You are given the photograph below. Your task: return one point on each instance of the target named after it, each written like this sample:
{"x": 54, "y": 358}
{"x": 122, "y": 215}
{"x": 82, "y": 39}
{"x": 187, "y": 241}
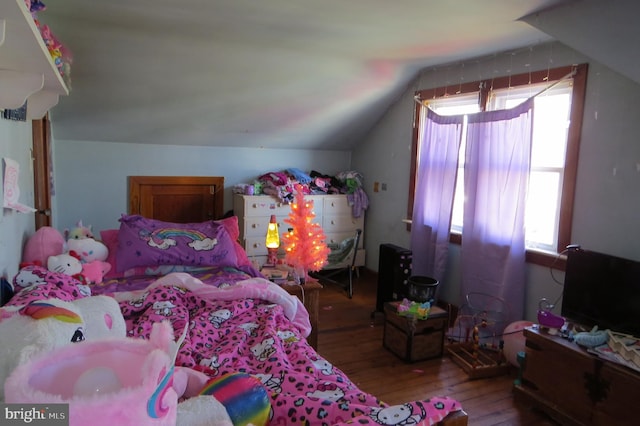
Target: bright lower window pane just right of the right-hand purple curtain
{"x": 541, "y": 214}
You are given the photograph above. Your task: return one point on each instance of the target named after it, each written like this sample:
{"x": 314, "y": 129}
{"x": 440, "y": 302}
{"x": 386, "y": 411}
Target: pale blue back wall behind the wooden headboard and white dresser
{"x": 91, "y": 177}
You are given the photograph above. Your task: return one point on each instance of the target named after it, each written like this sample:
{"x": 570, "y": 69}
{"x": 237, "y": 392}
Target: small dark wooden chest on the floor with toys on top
{"x": 412, "y": 339}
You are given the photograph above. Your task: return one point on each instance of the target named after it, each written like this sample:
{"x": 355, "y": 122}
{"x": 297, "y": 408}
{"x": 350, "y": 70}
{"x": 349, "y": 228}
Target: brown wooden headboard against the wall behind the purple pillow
{"x": 179, "y": 199}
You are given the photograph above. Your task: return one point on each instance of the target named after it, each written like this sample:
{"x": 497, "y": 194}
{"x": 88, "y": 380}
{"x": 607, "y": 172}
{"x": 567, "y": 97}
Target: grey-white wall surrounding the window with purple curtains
{"x": 607, "y": 200}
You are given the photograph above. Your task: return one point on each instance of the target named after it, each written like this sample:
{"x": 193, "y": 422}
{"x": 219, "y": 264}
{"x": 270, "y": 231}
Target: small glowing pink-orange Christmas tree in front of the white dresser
{"x": 304, "y": 244}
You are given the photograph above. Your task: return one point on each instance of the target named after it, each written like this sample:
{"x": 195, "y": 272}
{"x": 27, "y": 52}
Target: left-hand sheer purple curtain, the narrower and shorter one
{"x": 438, "y": 147}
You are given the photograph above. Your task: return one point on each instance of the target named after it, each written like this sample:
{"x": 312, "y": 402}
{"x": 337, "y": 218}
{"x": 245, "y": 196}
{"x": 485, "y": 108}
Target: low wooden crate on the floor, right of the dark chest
{"x": 478, "y": 362}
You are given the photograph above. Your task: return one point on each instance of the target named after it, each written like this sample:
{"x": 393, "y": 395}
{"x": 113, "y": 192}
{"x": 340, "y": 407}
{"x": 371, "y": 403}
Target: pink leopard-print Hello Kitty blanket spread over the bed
{"x": 256, "y": 327}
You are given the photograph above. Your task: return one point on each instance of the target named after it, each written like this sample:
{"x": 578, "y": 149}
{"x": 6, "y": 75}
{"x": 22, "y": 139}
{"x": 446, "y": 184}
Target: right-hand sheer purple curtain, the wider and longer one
{"x": 496, "y": 175}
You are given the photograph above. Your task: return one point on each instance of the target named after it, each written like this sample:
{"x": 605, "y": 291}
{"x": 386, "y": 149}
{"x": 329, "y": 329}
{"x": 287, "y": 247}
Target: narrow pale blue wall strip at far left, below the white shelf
{"x": 15, "y": 143}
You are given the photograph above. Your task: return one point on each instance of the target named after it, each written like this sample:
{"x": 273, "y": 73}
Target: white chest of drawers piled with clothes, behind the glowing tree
{"x": 333, "y": 213}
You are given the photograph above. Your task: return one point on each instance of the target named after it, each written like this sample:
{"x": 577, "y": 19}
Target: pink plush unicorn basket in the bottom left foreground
{"x": 106, "y": 382}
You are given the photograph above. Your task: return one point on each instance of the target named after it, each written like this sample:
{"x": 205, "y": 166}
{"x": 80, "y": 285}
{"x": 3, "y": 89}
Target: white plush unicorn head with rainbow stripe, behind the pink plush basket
{"x": 43, "y": 326}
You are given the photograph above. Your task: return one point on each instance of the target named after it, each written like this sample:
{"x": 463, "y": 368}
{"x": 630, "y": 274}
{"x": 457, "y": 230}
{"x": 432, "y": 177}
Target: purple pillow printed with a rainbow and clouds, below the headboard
{"x": 143, "y": 242}
